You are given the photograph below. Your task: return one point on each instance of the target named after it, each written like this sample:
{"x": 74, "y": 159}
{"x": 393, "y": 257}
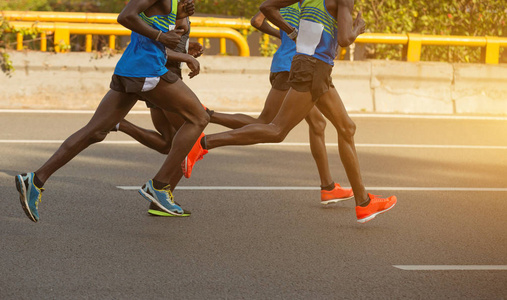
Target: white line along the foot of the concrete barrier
{"x": 353, "y": 115}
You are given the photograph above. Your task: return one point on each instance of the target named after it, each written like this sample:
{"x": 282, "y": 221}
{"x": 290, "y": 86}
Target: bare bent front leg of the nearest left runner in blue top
{"x": 183, "y": 102}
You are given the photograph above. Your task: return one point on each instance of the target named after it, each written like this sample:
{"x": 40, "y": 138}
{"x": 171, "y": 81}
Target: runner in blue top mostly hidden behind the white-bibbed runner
{"x": 280, "y": 66}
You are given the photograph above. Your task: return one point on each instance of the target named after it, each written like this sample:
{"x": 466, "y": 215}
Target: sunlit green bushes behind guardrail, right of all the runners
{"x": 456, "y": 17}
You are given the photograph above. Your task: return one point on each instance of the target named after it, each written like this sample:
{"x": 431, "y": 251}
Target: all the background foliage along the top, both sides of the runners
{"x": 447, "y": 17}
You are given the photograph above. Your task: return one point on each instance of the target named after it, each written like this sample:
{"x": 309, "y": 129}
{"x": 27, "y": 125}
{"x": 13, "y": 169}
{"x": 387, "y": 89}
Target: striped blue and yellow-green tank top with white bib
{"x": 318, "y": 31}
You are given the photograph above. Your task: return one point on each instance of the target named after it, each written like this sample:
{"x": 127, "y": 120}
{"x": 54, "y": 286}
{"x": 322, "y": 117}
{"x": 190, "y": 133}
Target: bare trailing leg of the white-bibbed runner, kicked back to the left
{"x": 294, "y": 109}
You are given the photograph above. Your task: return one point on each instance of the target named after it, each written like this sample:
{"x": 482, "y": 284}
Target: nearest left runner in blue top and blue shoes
{"x": 140, "y": 73}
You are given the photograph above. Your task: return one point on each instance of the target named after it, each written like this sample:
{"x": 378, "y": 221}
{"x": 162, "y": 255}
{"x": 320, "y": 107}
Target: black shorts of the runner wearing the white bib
{"x": 309, "y": 74}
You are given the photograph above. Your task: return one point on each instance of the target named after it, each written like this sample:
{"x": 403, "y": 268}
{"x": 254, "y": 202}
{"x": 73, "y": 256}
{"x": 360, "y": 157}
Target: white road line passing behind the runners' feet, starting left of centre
{"x": 312, "y": 188}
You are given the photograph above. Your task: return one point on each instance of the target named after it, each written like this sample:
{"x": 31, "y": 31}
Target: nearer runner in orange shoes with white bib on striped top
{"x": 324, "y": 24}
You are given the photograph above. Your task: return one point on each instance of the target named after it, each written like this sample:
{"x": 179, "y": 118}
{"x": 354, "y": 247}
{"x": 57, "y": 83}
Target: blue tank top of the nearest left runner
{"x": 145, "y": 57}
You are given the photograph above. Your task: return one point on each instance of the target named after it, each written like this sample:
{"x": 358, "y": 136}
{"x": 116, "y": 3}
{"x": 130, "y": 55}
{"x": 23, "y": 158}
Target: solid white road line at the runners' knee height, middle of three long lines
{"x": 288, "y": 144}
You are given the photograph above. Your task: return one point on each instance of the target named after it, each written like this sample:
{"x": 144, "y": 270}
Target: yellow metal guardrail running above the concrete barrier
{"x": 106, "y": 24}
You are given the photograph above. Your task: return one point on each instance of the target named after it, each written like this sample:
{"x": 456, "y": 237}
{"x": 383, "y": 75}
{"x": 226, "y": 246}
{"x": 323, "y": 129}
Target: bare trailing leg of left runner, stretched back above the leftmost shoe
{"x": 111, "y": 110}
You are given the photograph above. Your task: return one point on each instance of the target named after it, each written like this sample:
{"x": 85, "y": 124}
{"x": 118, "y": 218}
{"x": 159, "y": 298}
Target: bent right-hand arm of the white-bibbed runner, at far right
{"x": 349, "y": 29}
